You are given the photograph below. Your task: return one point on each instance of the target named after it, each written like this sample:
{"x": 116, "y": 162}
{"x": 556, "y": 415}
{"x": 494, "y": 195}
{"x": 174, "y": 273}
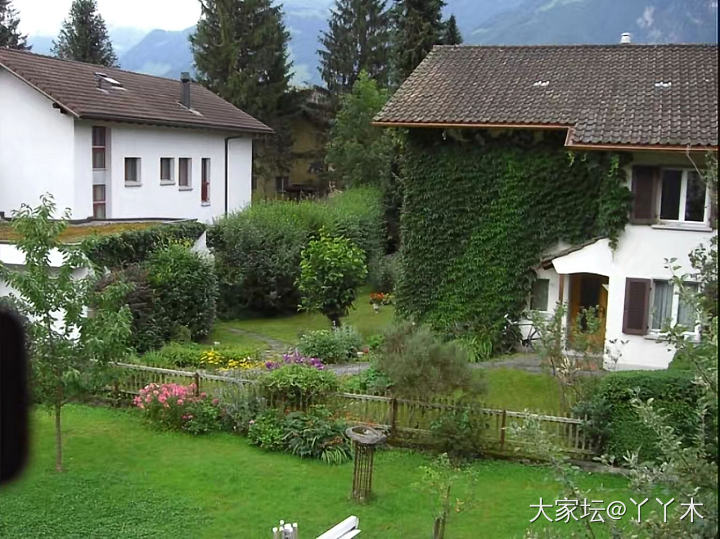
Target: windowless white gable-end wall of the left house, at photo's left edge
{"x": 36, "y": 148}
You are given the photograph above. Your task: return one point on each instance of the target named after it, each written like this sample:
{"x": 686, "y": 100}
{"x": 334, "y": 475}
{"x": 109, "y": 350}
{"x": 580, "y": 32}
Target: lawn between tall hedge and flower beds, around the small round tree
{"x": 288, "y": 328}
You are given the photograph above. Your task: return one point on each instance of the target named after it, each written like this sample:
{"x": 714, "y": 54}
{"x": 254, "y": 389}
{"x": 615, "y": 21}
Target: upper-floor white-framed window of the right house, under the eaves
{"x": 682, "y": 196}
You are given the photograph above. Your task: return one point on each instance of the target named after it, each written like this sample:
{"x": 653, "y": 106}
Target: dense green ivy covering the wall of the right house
{"x": 479, "y": 212}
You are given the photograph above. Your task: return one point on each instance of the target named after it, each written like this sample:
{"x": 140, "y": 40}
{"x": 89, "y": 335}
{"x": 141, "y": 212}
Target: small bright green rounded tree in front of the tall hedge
{"x": 331, "y": 269}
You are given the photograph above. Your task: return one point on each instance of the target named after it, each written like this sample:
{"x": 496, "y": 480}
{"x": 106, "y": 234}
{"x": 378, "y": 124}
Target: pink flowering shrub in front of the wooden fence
{"x": 174, "y": 406}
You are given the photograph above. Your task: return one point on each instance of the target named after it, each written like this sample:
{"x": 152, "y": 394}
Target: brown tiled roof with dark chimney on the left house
{"x": 146, "y": 99}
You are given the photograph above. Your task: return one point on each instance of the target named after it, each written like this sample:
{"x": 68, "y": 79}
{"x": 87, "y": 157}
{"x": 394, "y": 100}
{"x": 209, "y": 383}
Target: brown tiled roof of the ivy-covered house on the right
{"x": 635, "y": 95}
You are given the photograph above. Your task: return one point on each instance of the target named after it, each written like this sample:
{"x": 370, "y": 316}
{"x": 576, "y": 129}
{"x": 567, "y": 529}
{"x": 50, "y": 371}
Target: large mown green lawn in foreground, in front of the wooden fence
{"x": 124, "y": 479}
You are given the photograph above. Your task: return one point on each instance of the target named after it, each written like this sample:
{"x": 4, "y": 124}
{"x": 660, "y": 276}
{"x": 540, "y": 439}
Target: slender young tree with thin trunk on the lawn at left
{"x": 74, "y": 329}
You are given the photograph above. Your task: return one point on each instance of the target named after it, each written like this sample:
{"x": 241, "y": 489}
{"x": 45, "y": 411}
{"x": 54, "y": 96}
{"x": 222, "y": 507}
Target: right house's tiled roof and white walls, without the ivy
{"x": 656, "y": 104}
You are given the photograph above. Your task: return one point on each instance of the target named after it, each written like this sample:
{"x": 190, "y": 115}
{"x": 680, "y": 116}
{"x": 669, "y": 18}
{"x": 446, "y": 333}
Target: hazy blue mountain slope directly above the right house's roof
{"x": 600, "y": 21}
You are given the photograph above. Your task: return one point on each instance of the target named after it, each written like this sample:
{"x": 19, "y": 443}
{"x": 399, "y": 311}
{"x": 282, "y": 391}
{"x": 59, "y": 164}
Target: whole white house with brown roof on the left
{"x": 112, "y": 144}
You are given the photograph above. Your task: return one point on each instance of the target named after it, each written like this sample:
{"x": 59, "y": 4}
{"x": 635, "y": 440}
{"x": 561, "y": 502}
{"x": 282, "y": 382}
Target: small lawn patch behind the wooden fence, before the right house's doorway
{"x": 517, "y": 390}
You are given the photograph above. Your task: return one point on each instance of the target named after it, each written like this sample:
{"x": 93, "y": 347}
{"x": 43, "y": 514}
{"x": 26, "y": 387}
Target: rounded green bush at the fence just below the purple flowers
{"x": 297, "y": 386}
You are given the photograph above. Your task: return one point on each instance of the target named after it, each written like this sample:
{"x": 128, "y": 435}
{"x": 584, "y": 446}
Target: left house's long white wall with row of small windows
{"x": 154, "y": 199}
